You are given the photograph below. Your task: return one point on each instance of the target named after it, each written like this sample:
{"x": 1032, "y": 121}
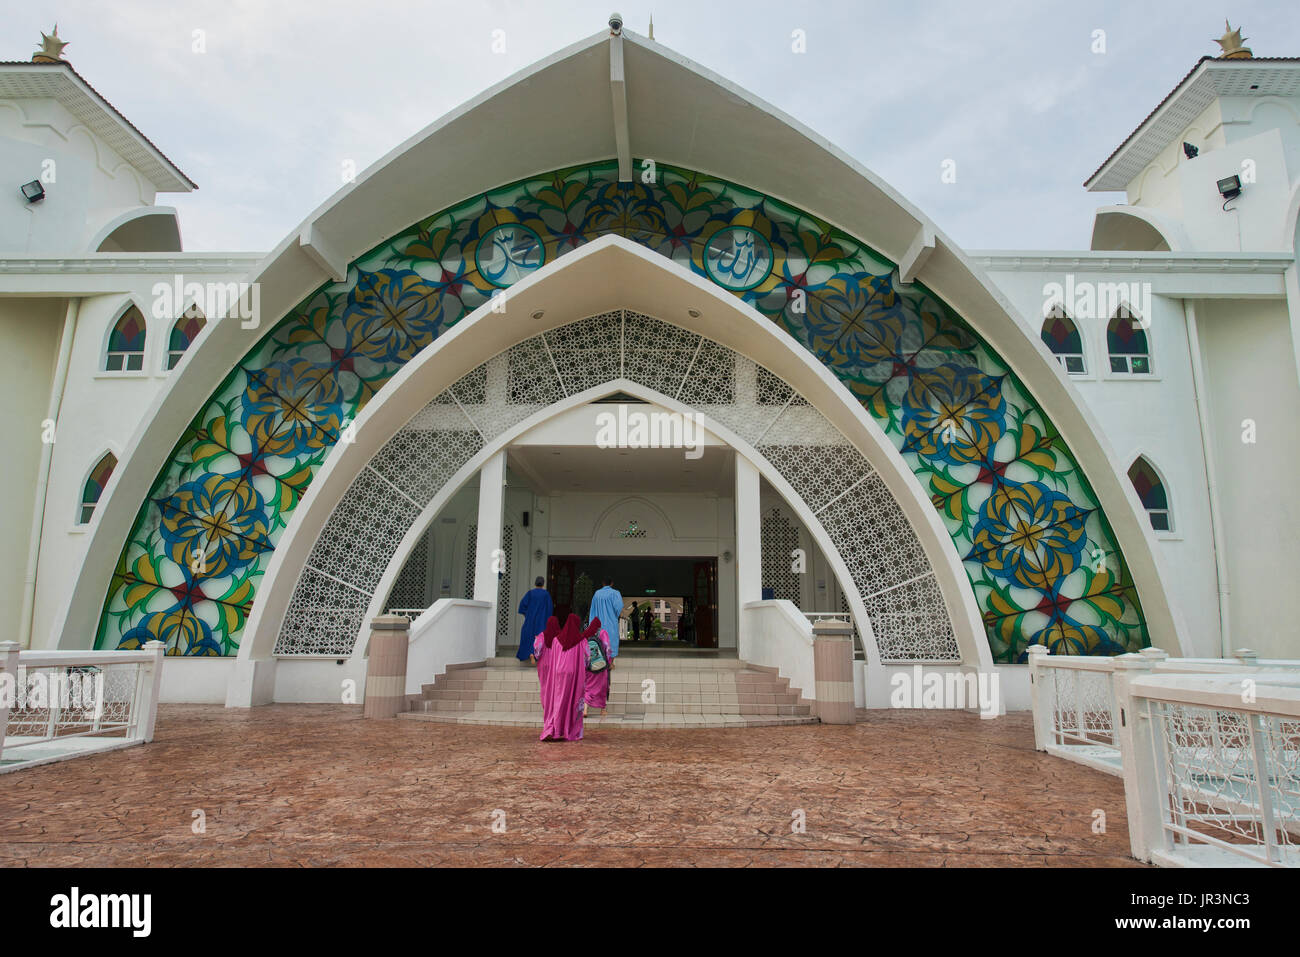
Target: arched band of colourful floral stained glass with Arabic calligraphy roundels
{"x": 1042, "y": 558}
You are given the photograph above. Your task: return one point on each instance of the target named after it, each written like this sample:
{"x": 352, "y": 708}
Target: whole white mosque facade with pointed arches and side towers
{"x": 409, "y": 404}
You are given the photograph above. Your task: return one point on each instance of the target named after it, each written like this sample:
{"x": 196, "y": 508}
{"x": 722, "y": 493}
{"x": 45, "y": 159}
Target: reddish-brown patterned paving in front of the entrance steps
{"x": 319, "y": 786}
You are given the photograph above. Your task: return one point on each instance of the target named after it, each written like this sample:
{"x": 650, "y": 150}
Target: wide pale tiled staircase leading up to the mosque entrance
{"x": 697, "y": 691}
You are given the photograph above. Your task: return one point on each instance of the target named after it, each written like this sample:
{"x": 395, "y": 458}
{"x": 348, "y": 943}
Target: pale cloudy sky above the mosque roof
{"x": 1011, "y": 90}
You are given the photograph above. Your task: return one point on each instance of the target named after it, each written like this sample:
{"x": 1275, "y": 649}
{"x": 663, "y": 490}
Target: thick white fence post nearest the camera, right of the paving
{"x": 1136, "y": 734}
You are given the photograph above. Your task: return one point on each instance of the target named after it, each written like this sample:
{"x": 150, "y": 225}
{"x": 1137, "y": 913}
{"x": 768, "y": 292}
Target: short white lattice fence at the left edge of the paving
{"x": 59, "y": 705}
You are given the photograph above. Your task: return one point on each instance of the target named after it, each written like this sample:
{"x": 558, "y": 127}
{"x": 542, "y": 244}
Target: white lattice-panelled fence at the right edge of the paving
{"x": 1208, "y": 750}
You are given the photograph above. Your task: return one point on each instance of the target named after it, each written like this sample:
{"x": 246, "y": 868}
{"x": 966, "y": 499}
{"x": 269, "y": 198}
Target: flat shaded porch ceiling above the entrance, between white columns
{"x": 558, "y": 470}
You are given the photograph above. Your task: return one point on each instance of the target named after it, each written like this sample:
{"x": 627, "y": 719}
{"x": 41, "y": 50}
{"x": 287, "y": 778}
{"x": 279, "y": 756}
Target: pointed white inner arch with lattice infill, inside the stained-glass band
{"x": 358, "y": 523}
